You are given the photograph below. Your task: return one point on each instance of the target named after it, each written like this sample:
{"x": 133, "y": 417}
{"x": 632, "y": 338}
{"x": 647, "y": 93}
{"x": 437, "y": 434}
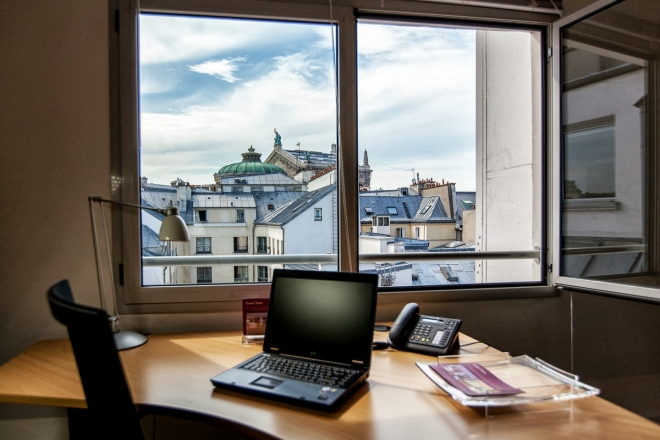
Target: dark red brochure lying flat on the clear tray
{"x": 474, "y": 380}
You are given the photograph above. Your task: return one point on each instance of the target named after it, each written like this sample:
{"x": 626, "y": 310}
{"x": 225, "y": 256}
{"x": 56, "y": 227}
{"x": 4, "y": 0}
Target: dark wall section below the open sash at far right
{"x": 615, "y": 348}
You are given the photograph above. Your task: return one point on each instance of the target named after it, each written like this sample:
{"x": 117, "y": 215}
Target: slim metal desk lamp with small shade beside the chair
{"x": 173, "y": 228}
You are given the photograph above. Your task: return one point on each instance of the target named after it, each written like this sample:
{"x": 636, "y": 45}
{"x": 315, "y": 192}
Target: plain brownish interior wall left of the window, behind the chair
{"x": 54, "y": 153}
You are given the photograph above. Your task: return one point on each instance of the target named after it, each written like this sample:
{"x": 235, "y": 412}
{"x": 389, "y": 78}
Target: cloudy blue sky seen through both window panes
{"x": 212, "y": 87}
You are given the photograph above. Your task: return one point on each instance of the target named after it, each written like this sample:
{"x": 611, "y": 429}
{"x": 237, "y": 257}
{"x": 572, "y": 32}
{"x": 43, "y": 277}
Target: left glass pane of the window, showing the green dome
{"x": 212, "y": 91}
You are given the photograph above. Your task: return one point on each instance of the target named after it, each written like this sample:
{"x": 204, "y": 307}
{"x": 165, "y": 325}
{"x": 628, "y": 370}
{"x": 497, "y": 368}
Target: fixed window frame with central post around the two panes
{"x": 135, "y": 298}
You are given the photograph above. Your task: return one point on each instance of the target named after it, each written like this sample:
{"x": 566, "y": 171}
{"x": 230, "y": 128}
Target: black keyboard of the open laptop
{"x": 305, "y": 371}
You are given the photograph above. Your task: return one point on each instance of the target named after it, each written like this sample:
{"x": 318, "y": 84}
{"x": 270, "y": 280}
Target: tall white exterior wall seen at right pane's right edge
{"x": 508, "y": 209}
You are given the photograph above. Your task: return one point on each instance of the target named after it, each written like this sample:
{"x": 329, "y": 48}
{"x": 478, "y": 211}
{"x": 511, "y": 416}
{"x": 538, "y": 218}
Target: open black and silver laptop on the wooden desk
{"x": 318, "y": 340}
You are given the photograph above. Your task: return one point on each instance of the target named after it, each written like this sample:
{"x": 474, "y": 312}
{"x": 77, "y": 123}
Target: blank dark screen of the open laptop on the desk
{"x": 322, "y": 315}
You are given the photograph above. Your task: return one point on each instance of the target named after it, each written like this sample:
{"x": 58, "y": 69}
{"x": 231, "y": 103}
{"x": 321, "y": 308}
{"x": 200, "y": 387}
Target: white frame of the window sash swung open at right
{"x": 557, "y": 197}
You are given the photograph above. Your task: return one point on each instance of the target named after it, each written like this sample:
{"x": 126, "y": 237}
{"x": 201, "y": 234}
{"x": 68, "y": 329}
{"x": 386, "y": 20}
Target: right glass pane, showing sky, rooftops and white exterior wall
{"x": 449, "y": 129}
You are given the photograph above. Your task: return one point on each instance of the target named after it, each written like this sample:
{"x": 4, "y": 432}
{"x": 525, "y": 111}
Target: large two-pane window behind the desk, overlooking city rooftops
{"x": 175, "y": 69}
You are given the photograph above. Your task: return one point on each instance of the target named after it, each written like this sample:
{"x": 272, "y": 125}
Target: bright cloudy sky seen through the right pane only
{"x": 417, "y": 103}
